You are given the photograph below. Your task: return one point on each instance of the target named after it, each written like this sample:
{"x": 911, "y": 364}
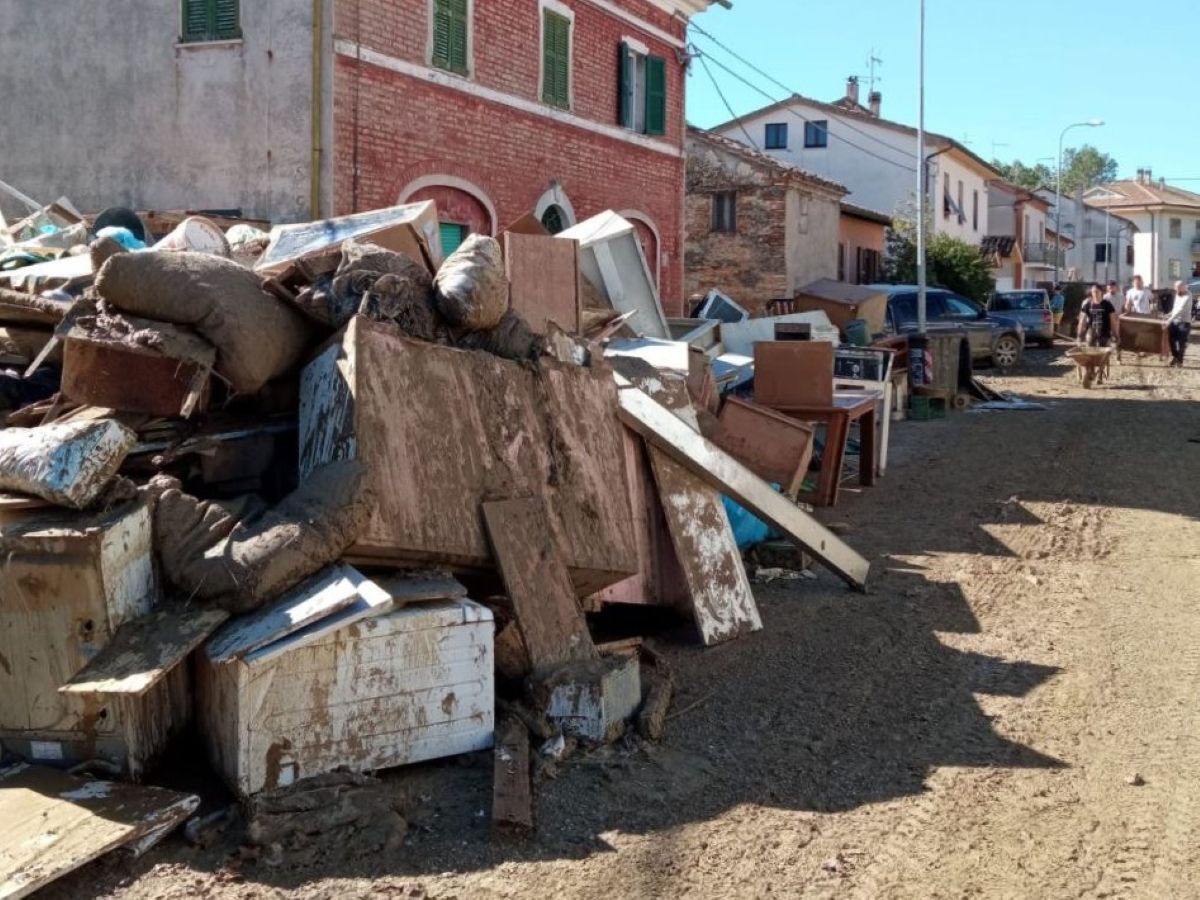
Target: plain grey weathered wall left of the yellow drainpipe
{"x": 104, "y": 106}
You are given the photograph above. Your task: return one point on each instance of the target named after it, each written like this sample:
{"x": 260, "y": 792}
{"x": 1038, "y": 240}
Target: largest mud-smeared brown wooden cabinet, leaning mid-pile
{"x": 443, "y": 430}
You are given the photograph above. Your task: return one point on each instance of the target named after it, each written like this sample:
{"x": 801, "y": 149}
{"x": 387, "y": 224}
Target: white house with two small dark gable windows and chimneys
{"x": 875, "y": 158}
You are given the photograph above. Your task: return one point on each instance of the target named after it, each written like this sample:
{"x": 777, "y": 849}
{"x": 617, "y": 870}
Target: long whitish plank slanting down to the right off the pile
{"x": 722, "y": 471}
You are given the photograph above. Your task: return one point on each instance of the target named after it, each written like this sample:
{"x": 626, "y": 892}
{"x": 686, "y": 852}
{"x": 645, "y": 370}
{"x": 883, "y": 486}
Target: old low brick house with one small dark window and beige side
{"x": 754, "y": 227}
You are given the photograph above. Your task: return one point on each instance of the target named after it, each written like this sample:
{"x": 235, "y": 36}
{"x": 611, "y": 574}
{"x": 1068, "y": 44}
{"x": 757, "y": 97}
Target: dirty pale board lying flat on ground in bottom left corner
{"x": 52, "y": 824}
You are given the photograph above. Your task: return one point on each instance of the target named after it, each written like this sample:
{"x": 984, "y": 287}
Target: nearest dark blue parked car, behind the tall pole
{"x": 994, "y": 339}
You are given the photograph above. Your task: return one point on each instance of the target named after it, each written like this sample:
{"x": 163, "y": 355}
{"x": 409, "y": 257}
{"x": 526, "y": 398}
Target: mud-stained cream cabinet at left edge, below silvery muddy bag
{"x": 68, "y": 584}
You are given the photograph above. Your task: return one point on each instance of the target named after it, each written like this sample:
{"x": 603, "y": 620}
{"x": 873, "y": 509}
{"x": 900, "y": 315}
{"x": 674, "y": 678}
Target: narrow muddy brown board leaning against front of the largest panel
{"x": 538, "y": 584}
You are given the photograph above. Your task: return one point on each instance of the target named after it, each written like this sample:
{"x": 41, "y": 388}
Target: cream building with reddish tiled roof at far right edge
{"x": 1167, "y": 245}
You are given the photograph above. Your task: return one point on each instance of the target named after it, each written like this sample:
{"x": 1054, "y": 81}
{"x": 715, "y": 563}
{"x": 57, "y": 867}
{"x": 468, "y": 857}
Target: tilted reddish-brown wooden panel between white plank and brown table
{"x": 775, "y": 447}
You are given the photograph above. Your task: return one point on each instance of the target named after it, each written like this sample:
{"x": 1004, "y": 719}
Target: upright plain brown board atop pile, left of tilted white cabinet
{"x": 544, "y": 280}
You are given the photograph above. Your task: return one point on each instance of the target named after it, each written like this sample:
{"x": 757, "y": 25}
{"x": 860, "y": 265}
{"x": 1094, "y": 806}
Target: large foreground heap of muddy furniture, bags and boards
{"x": 295, "y": 469}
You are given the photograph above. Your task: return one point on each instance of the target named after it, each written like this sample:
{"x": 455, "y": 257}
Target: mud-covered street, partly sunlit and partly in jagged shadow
{"x": 1011, "y": 711}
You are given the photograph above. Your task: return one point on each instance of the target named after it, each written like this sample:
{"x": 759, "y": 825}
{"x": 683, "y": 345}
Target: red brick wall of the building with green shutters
{"x": 393, "y": 128}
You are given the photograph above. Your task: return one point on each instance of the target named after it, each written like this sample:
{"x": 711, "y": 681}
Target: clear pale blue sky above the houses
{"x": 1003, "y": 77}
